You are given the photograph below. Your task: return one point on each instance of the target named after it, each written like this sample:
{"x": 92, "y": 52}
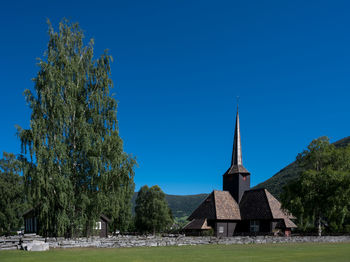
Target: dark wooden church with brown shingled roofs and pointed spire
{"x": 238, "y": 209}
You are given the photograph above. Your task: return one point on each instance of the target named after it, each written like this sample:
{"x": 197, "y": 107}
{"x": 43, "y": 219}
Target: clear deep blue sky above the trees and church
{"x": 179, "y": 66}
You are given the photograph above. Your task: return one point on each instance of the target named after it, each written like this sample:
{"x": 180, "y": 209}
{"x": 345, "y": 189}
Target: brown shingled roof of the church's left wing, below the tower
{"x": 219, "y": 205}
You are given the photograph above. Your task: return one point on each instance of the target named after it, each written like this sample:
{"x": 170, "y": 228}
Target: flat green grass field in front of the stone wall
{"x": 266, "y": 252}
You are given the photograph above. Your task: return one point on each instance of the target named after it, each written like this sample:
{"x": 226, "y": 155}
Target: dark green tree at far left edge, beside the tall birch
{"x": 12, "y": 198}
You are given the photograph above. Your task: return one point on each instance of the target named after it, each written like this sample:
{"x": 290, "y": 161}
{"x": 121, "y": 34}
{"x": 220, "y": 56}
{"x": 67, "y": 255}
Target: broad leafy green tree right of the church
{"x": 322, "y": 191}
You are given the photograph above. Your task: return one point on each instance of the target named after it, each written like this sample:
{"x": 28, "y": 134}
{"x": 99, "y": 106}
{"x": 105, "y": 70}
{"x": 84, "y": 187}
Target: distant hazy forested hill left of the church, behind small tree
{"x": 181, "y": 206}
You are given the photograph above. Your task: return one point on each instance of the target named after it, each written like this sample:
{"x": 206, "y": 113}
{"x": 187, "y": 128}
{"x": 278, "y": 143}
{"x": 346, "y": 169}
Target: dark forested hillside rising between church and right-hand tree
{"x": 276, "y": 182}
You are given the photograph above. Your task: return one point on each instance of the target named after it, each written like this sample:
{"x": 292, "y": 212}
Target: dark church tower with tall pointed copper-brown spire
{"x": 236, "y": 180}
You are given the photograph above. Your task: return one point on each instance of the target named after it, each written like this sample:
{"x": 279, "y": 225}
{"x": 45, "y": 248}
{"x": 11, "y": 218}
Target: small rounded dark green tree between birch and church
{"x": 152, "y": 213}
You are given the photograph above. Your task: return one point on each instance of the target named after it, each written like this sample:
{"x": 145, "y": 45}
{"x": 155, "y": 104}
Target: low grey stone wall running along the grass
{"x": 18, "y": 242}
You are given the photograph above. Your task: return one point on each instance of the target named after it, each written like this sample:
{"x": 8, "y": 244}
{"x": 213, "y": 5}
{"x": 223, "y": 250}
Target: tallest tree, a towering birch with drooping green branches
{"x": 78, "y": 166}
